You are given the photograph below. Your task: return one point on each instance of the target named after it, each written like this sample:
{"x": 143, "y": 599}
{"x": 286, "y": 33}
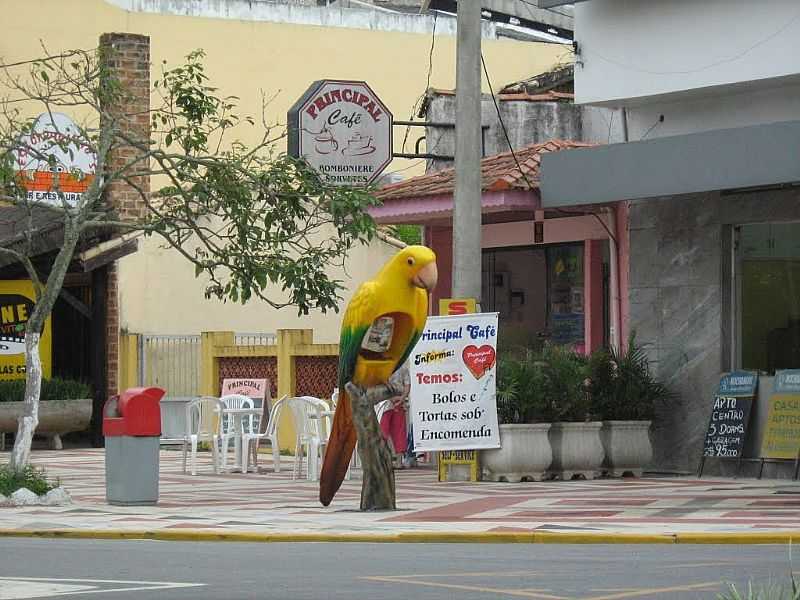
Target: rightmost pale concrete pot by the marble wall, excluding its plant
{"x": 627, "y": 447}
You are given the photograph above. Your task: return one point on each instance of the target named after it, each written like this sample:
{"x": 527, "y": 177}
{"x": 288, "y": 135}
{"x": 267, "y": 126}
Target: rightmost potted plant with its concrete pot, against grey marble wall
{"x": 625, "y": 392}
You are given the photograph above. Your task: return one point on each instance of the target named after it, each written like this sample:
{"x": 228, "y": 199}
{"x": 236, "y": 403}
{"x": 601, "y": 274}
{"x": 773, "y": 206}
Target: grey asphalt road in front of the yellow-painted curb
{"x": 31, "y": 568}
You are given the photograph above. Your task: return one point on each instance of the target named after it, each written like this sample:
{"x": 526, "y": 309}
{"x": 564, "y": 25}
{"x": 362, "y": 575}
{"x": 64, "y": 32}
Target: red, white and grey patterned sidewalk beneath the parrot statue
{"x": 267, "y": 503}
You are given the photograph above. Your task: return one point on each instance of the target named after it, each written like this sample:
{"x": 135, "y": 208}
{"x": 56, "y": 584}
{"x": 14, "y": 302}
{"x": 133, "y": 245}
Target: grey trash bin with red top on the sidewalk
{"x": 132, "y": 428}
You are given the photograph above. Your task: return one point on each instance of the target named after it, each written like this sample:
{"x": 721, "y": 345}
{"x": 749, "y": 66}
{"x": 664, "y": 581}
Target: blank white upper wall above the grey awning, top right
{"x": 632, "y": 51}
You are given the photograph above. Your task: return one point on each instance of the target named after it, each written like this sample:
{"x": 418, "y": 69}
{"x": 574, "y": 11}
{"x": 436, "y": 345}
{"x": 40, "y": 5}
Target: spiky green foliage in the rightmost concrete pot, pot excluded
{"x": 622, "y": 386}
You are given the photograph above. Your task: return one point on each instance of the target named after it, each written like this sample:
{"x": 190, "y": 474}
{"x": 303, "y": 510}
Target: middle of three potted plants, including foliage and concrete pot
{"x": 575, "y": 436}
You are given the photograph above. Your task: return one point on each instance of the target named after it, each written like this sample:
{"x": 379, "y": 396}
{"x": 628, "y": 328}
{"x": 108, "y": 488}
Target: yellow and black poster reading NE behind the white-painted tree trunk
{"x": 16, "y": 306}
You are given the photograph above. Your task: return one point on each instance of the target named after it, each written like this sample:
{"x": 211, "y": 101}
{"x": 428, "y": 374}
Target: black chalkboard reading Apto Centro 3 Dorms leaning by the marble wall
{"x": 730, "y": 415}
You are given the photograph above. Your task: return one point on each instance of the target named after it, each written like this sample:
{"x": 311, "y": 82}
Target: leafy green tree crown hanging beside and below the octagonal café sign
{"x": 278, "y": 226}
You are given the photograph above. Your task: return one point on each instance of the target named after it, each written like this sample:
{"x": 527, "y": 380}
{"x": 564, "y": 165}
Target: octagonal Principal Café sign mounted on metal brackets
{"x": 343, "y": 130}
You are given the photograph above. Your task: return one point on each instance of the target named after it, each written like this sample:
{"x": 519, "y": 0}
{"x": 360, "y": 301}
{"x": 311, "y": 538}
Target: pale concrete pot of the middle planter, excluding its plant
{"x": 577, "y": 449}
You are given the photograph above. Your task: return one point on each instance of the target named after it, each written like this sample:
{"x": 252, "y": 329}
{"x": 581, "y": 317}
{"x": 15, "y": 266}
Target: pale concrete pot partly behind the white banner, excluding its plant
{"x": 525, "y": 452}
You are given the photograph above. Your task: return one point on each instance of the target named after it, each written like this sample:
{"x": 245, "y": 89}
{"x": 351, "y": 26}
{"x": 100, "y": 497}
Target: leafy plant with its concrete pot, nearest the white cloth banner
{"x": 525, "y": 413}
